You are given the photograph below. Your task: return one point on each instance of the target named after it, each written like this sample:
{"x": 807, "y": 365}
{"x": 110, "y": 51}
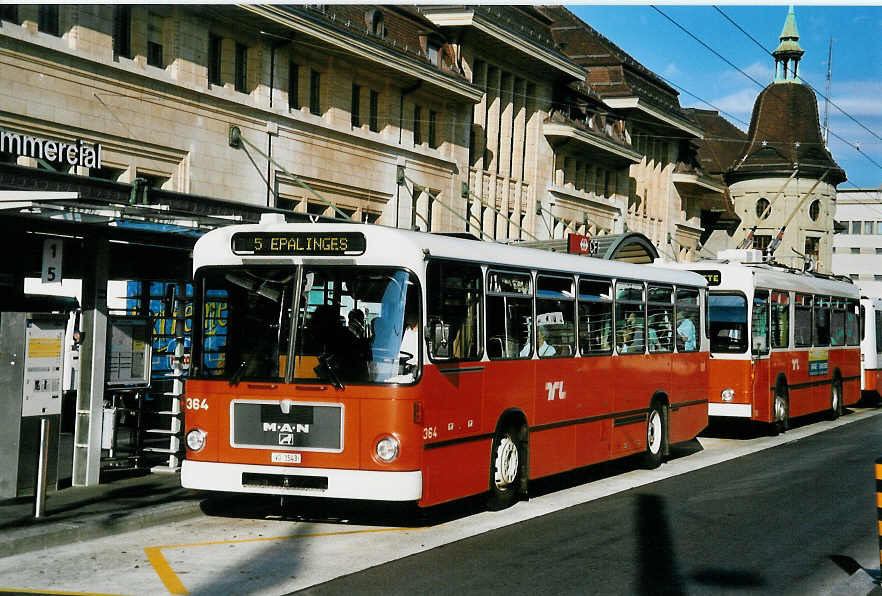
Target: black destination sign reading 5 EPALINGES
{"x": 325, "y": 244}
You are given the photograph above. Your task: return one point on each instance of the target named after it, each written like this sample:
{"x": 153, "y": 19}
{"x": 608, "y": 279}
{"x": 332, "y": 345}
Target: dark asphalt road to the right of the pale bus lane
{"x": 793, "y": 519}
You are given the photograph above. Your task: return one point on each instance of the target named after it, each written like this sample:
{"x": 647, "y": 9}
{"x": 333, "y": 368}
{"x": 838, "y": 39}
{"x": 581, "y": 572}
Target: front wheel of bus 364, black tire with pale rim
{"x": 508, "y": 458}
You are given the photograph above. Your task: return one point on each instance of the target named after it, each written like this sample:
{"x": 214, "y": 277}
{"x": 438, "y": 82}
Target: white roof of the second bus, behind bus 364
{"x": 741, "y": 275}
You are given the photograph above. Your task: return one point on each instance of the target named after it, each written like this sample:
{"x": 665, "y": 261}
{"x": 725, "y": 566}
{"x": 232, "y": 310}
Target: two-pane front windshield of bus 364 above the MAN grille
{"x": 353, "y": 325}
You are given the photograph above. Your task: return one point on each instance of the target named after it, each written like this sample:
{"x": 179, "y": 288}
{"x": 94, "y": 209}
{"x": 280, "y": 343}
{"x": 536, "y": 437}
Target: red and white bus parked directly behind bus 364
{"x": 783, "y": 343}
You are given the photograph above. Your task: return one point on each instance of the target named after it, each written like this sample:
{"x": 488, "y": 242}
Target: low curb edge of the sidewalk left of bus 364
{"x": 40, "y": 536}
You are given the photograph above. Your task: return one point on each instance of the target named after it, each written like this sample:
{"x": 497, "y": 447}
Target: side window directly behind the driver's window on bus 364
{"x": 509, "y": 315}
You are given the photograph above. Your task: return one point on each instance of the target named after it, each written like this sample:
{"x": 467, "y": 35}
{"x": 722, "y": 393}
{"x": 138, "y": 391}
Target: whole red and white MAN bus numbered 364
{"x": 364, "y": 362}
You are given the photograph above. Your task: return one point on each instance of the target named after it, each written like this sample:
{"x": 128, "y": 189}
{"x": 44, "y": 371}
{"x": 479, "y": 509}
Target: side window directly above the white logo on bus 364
{"x": 555, "y": 316}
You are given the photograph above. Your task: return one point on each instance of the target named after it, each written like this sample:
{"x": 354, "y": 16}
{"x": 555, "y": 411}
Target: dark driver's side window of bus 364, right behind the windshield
{"x": 454, "y": 299}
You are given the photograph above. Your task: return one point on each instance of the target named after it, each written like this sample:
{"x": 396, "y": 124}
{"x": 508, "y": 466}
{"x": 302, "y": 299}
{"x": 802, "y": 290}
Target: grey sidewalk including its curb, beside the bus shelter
{"x": 80, "y": 513}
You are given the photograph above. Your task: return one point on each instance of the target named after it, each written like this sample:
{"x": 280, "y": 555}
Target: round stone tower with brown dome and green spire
{"x": 785, "y": 178}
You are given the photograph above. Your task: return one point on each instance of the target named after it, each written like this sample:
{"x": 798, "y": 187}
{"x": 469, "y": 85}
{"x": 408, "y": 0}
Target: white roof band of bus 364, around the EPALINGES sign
{"x": 409, "y": 249}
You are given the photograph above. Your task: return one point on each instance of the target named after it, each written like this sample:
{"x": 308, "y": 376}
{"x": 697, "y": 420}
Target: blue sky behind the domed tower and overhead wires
{"x": 702, "y": 78}
